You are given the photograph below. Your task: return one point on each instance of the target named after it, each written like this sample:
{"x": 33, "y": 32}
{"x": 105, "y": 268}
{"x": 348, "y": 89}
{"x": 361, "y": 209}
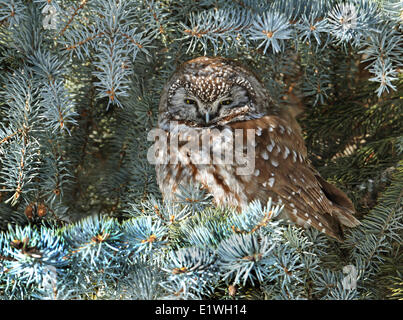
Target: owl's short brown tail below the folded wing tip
{"x": 344, "y": 208}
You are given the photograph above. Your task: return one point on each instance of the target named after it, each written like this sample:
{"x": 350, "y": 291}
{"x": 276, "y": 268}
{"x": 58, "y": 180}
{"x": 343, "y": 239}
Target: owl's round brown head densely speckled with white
{"x": 207, "y": 92}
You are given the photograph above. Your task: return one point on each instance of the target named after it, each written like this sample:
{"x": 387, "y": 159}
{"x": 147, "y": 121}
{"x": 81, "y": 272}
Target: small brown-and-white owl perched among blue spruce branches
{"x": 221, "y": 99}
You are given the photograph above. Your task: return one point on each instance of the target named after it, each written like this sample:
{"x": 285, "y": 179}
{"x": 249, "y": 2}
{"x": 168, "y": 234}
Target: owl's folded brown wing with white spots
{"x": 283, "y": 172}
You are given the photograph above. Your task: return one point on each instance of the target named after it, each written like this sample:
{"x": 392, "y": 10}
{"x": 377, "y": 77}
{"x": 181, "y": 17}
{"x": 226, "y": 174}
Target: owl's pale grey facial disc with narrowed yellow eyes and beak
{"x": 188, "y": 106}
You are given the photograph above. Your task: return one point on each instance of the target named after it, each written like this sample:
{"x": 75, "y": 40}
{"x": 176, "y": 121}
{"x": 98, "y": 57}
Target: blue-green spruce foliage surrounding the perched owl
{"x": 81, "y": 216}
